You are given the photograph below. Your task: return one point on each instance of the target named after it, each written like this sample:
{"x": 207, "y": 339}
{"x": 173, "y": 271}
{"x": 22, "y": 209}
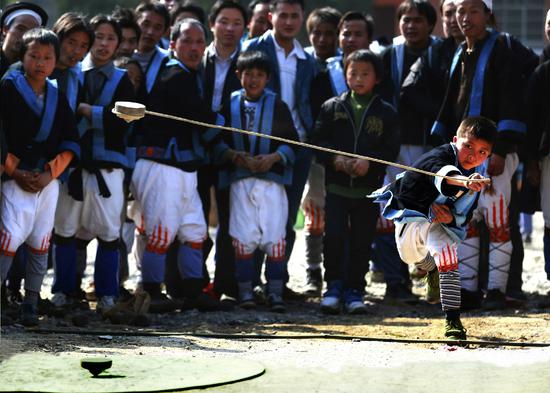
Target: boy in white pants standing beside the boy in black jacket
{"x": 261, "y": 169}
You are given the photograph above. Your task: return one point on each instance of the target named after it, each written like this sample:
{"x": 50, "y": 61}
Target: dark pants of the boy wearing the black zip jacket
{"x": 358, "y": 216}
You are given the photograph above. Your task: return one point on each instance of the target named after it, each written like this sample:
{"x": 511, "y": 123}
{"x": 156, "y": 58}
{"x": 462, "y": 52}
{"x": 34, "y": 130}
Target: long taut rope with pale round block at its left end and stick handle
{"x": 131, "y": 111}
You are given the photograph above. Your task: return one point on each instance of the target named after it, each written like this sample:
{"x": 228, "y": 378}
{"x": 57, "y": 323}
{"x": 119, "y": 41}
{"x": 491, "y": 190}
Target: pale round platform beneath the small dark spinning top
{"x": 62, "y": 373}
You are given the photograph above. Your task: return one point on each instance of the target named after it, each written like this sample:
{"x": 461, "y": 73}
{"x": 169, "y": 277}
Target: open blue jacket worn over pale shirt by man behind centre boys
{"x": 306, "y": 70}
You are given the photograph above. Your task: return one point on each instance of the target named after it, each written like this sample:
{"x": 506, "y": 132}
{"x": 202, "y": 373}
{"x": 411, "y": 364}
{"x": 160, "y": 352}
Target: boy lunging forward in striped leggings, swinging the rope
{"x": 431, "y": 214}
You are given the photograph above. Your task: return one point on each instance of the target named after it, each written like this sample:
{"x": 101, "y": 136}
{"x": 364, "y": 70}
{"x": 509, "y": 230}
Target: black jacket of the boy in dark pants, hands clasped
{"x": 377, "y": 136}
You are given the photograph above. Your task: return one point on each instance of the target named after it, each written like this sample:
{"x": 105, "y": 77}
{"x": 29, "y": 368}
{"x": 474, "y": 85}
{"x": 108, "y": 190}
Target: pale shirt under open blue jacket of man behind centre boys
{"x": 287, "y": 77}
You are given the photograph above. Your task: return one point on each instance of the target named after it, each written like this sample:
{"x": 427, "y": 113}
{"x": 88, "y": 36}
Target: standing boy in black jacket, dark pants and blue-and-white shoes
{"x": 359, "y": 122}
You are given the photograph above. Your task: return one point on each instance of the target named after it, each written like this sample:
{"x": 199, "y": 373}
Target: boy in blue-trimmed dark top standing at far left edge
{"x": 41, "y": 140}
